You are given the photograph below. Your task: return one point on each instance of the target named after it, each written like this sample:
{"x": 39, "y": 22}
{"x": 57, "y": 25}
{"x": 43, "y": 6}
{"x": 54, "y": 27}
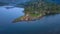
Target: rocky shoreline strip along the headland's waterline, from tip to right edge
{"x": 28, "y": 17}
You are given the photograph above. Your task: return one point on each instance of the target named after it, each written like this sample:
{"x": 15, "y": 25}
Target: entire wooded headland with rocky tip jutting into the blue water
{"x": 36, "y": 9}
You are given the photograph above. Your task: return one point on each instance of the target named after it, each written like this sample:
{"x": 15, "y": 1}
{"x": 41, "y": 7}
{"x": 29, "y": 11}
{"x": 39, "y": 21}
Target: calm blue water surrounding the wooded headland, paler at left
{"x": 45, "y": 25}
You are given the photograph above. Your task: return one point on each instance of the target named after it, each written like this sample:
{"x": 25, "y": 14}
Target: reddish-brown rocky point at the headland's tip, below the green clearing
{"x": 27, "y": 17}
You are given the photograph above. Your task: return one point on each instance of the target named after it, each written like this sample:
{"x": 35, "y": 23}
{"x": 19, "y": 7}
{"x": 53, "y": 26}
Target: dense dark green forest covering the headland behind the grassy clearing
{"x": 41, "y": 6}
